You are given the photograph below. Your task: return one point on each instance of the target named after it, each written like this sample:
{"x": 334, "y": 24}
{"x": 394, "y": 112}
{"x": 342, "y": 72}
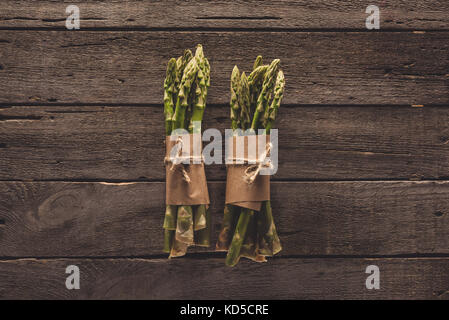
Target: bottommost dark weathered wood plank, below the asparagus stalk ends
{"x": 210, "y": 279}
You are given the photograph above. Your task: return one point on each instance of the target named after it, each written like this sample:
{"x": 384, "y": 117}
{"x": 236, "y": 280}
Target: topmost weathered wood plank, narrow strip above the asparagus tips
{"x": 298, "y": 14}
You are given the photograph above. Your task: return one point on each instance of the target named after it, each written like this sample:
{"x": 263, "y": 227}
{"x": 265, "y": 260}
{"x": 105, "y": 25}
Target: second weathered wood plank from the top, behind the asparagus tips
{"x": 129, "y": 67}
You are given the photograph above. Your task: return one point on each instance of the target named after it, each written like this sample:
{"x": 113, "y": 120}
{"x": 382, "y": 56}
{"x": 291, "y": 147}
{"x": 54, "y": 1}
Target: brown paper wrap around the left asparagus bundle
{"x": 179, "y": 191}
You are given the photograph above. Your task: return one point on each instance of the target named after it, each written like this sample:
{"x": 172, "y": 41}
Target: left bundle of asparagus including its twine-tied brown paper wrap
{"x": 187, "y": 218}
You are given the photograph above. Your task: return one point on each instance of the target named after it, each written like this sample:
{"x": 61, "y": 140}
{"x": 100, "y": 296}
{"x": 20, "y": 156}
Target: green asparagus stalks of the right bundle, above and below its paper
{"x": 245, "y": 232}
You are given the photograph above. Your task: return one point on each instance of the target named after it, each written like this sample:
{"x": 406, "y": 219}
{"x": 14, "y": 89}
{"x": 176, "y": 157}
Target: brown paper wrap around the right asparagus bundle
{"x": 238, "y": 191}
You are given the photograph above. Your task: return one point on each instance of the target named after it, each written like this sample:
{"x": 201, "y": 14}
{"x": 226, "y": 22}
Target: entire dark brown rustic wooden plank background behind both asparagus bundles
{"x": 364, "y": 157}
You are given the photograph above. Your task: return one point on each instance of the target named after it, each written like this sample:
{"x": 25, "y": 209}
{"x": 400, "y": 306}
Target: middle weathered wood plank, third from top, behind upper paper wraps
{"x": 126, "y": 143}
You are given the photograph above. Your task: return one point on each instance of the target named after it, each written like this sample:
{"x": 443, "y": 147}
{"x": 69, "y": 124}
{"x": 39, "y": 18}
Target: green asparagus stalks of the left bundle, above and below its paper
{"x": 185, "y": 91}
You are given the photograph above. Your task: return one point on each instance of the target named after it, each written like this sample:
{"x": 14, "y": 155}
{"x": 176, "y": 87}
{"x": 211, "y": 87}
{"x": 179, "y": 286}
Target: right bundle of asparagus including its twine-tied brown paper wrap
{"x": 248, "y": 228}
